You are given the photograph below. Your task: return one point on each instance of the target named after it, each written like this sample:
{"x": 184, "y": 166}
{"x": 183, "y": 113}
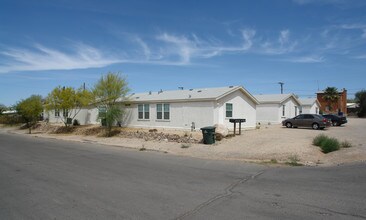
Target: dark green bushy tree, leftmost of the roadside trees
{"x": 30, "y": 110}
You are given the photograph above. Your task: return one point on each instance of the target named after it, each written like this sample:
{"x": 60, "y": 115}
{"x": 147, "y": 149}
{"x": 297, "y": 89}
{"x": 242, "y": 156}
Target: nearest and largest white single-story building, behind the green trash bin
{"x": 192, "y": 108}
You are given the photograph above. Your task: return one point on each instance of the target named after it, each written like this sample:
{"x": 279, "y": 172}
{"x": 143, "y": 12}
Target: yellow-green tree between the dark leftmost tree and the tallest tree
{"x": 69, "y": 101}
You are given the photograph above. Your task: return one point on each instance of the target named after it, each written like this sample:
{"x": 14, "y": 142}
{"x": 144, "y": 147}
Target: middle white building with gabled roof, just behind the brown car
{"x": 274, "y": 108}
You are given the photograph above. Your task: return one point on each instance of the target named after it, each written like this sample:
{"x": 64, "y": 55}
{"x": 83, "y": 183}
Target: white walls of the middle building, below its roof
{"x": 272, "y": 112}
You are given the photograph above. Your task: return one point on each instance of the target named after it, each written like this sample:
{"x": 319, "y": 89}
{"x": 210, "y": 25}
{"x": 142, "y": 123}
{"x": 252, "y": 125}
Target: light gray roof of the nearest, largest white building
{"x": 188, "y": 94}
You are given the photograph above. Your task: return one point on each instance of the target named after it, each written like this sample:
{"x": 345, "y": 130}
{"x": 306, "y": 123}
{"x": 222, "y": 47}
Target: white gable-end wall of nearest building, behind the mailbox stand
{"x": 243, "y": 107}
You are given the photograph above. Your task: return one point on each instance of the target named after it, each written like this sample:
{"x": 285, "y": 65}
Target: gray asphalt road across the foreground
{"x": 51, "y": 179}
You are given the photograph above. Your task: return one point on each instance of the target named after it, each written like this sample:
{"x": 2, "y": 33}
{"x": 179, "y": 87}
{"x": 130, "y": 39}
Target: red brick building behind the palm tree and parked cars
{"x": 336, "y": 107}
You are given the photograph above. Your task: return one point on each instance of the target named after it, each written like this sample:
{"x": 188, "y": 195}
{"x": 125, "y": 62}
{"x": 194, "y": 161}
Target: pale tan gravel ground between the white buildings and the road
{"x": 272, "y": 142}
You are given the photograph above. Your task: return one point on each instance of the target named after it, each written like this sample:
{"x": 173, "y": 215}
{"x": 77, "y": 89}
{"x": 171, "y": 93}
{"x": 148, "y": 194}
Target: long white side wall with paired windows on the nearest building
{"x": 182, "y": 114}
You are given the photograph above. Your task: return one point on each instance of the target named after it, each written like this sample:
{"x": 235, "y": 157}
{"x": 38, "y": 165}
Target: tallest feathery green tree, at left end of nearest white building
{"x": 107, "y": 91}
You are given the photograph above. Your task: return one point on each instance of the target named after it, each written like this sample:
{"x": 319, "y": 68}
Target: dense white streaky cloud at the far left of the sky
{"x": 43, "y": 58}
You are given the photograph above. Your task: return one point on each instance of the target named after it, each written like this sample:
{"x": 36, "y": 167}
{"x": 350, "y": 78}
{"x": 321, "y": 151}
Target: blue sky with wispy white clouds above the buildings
{"x": 307, "y": 44}
